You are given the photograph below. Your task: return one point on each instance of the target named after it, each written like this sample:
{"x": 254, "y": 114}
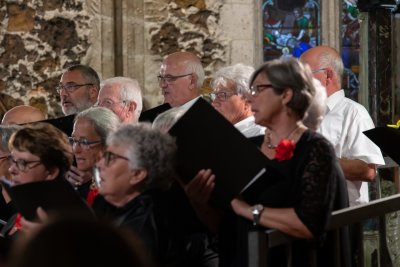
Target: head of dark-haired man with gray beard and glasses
{"x": 78, "y": 89}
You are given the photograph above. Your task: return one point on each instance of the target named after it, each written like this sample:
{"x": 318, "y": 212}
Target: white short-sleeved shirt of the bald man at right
{"x": 343, "y": 126}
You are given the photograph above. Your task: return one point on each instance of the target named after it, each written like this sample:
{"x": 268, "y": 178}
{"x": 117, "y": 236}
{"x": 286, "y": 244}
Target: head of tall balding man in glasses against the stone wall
{"x": 181, "y": 78}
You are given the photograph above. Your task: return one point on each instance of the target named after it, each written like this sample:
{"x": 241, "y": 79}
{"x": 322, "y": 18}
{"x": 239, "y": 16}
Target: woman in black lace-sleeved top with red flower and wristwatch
{"x": 297, "y": 192}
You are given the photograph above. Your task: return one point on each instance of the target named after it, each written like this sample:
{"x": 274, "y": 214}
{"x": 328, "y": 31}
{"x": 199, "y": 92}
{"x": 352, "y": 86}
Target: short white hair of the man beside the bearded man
{"x": 130, "y": 90}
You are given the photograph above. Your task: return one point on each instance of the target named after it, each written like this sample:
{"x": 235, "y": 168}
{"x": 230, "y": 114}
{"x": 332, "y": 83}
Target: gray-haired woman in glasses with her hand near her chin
{"x": 88, "y": 139}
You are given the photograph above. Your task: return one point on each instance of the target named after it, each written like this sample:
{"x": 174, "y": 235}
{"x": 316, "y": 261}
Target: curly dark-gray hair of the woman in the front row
{"x": 148, "y": 149}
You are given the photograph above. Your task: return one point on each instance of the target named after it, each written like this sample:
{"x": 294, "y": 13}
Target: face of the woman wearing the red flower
{"x": 265, "y": 103}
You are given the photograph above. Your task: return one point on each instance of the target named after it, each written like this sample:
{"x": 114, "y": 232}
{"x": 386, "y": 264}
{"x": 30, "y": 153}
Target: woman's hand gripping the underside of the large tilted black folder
{"x": 199, "y": 189}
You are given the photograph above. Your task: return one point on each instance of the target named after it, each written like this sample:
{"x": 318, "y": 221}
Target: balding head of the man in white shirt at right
{"x": 327, "y": 66}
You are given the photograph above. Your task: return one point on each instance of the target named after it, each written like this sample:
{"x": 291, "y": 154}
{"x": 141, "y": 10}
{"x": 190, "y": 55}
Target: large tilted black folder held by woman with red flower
{"x": 206, "y": 140}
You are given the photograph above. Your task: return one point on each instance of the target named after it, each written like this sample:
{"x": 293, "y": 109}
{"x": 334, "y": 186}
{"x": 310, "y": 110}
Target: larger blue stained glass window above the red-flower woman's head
{"x": 290, "y": 27}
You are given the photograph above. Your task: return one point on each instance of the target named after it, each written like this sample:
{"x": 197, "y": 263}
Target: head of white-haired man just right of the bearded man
{"x": 123, "y": 97}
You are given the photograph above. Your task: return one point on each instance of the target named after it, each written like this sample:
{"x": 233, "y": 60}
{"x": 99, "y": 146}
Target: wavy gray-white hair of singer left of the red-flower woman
{"x": 239, "y": 74}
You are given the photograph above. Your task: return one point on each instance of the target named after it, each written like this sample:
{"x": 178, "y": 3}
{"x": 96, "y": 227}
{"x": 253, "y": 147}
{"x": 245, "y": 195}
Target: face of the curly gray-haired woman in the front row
{"x": 115, "y": 174}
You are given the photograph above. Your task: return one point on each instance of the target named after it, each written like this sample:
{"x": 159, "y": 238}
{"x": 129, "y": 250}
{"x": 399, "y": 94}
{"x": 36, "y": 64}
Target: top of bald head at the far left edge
{"x": 21, "y": 115}
